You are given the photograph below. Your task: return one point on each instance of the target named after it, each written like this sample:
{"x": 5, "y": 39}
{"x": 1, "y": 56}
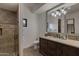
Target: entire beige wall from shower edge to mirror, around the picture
{"x": 36, "y": 26}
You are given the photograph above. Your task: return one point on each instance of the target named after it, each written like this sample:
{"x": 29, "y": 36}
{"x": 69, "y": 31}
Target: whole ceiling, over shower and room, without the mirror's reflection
{"x": 33, "y": 7}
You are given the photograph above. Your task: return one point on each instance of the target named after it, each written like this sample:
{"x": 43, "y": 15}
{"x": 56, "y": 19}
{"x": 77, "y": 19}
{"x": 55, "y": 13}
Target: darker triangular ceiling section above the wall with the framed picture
{"x": 34, "y": 6}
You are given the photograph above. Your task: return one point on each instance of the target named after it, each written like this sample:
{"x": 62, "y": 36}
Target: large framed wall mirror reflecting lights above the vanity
{"x": 64, "y": 19}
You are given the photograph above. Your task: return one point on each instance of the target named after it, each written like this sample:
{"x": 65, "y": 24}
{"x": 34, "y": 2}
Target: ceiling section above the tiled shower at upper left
{"x": 9, "y": 6}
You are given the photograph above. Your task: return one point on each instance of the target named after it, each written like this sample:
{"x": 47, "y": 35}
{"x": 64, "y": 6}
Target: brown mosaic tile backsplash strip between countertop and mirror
{"x": 63, "y": 36}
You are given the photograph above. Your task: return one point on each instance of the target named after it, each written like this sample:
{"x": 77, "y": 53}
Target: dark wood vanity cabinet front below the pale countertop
{"x": 51, "y": 48}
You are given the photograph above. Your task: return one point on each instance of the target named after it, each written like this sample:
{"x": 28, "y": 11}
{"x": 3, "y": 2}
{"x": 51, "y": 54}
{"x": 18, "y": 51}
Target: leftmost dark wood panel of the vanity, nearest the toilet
{"x": 43, "y": 46}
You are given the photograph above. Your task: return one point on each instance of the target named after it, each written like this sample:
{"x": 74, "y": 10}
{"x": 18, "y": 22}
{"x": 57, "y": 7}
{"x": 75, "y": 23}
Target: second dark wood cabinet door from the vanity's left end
{"x": 51, "y": 48}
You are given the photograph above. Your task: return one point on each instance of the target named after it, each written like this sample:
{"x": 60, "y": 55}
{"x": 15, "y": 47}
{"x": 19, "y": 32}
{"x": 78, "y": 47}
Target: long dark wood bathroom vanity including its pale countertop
{"x": 50, "y": 46}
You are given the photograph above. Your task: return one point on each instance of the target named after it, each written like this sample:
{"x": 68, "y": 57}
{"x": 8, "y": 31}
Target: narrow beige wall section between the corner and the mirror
{"x": 41, "y": 22}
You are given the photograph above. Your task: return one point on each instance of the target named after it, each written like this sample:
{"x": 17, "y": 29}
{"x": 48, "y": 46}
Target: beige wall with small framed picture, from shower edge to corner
{"x": 27, "y": 34}
